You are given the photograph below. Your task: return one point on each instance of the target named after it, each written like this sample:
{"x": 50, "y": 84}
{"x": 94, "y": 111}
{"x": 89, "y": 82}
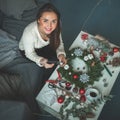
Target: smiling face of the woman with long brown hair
{"x": 47, "y": 23}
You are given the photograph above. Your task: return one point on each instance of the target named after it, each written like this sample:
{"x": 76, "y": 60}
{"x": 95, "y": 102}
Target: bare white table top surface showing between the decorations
{"x": 47, "y": 96}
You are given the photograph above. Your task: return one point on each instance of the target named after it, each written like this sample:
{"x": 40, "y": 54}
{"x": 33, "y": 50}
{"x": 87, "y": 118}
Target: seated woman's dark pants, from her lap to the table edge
{"x": 33, "y": 75}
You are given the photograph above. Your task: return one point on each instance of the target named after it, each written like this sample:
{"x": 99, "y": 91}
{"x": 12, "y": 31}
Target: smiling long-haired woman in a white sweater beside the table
{"x": 42, "y": 37}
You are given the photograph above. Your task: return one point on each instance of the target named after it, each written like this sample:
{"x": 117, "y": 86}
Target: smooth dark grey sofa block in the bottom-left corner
{"x": 14, "y": 110}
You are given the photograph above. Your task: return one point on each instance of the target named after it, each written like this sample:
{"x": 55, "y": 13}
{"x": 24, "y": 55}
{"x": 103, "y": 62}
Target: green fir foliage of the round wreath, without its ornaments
{"x": 94, "y": 71}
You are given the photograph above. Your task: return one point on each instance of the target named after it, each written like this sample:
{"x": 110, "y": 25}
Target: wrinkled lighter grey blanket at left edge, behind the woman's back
{"x": 9, "y": 49}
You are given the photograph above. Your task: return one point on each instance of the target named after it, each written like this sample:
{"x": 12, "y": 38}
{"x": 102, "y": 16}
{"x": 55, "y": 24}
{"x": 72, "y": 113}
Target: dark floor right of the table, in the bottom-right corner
{"x": 111, "y": 110}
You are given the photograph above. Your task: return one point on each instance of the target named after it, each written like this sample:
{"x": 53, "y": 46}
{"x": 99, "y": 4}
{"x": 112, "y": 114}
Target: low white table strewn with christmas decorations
{"x": 47, "y": 98}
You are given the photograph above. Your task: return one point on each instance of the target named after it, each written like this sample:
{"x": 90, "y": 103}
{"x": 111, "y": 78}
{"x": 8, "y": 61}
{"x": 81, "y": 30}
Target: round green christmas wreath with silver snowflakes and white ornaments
{"x": 82, "y": 68}
